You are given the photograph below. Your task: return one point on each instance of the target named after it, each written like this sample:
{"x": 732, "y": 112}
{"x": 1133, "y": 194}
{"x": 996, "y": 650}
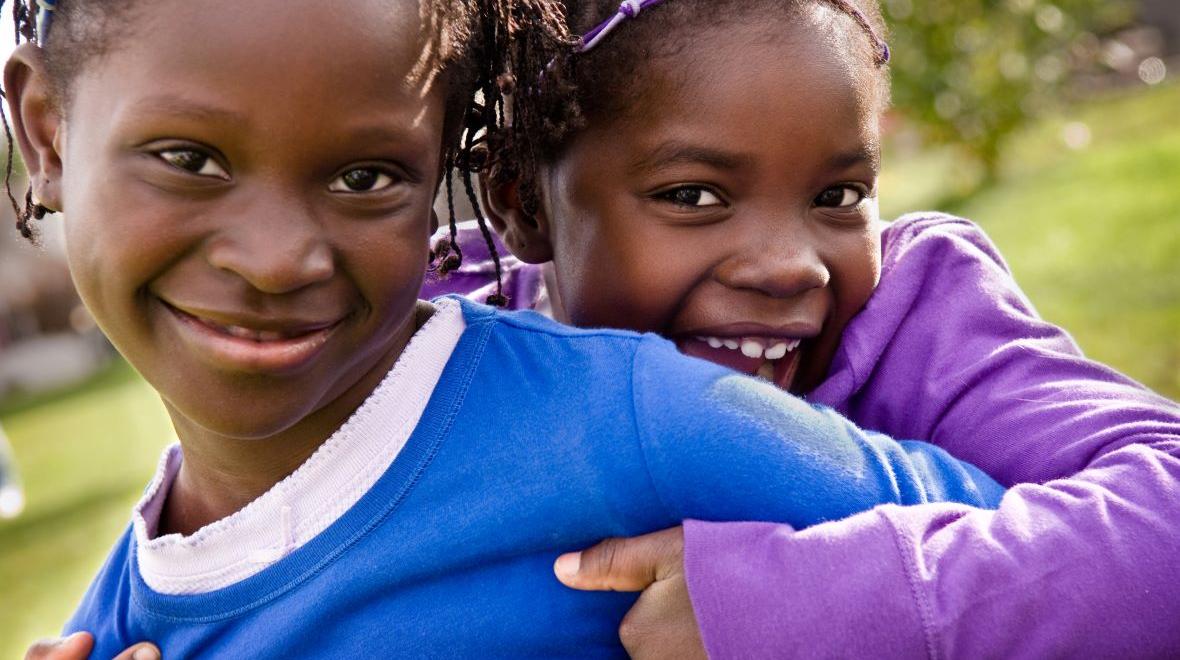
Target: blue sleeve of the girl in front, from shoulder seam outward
{"x": 722, "y": 446}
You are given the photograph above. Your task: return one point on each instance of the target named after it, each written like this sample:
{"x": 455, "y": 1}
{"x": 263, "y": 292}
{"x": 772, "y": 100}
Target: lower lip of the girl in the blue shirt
{"x": 246, "y": 355}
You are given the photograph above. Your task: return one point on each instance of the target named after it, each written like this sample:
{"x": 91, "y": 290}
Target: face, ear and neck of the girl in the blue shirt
{"x": 199, "y": 207}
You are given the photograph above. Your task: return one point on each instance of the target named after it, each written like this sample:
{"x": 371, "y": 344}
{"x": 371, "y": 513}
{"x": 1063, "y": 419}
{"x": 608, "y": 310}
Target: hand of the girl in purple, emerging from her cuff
{"x": 663, "y": 624}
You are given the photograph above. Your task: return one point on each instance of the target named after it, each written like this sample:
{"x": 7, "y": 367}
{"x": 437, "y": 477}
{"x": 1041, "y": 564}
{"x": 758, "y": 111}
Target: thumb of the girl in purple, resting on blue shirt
{"x": 625, "y": 565}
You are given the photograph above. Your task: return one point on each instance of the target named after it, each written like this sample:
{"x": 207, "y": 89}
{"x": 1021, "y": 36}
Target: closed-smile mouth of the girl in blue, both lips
{"x": 239, "y": 348}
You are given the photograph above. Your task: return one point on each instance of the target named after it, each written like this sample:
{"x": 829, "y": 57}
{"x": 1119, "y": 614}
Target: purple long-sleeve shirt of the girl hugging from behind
{"x": 1081, "y": 559}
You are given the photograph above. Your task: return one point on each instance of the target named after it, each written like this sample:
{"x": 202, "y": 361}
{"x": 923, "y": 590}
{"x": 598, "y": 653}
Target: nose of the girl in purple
{"x": 781, "y": 263}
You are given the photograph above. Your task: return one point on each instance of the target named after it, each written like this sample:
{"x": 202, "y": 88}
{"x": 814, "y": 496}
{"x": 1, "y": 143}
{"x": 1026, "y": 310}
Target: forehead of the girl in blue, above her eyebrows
{"x": 280, "y": 47}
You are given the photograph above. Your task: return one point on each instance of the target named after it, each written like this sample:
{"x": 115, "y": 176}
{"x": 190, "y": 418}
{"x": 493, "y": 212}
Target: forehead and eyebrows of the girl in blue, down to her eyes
{"x": 294, "y": 76}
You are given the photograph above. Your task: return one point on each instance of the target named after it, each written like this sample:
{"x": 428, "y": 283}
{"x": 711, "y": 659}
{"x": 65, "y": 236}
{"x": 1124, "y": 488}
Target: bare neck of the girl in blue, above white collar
{"x": 220, "y": 476}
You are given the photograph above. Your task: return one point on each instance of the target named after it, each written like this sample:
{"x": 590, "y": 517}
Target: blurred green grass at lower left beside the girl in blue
{"x": 86, "y": 459}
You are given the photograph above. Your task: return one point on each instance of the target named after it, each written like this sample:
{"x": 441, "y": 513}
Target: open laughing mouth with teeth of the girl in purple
{"x": 771, "y": 358}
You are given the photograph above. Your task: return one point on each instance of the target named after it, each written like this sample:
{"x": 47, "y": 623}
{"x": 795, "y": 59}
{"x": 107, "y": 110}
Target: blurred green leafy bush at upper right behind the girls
{"x": 973, "y": 71}
